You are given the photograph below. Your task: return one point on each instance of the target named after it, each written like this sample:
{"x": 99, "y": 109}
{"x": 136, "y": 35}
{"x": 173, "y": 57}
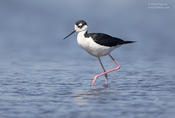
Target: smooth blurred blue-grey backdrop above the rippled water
{"x": 36, "y": 27}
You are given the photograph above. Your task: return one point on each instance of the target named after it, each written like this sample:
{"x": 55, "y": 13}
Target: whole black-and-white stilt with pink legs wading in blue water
{"x": 97, "y": 44}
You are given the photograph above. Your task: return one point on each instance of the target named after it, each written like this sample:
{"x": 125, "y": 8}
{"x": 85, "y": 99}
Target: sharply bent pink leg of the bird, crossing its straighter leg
{"x": 117, "y": 68}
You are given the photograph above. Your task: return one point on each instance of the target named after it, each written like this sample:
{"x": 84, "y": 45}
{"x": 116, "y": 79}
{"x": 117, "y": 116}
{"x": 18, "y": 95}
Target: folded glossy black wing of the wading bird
{"x": 105, "y": 40}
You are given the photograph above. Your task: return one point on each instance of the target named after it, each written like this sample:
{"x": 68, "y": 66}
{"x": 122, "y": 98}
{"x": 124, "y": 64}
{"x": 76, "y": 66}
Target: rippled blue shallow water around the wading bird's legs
{"x": 54, "y": 89}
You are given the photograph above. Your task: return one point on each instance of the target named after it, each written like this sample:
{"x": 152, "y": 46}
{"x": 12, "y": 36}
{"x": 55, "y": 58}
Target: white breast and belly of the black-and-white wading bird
{"x": 92, "y": 47}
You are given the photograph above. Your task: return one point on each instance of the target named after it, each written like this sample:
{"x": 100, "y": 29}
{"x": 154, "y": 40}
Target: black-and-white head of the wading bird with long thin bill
{"x": 80, "y": 26}
